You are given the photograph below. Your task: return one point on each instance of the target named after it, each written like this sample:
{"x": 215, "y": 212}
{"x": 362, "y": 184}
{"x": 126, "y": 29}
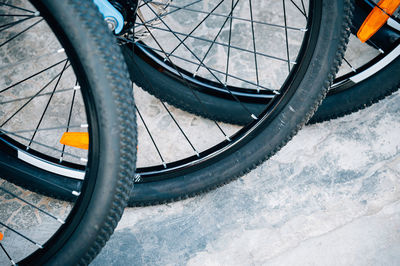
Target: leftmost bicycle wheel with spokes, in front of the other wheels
{"x": 51, "y": 52}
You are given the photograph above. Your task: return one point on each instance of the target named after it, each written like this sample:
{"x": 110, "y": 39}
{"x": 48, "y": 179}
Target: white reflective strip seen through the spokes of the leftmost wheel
{"x": 50, "y": 167}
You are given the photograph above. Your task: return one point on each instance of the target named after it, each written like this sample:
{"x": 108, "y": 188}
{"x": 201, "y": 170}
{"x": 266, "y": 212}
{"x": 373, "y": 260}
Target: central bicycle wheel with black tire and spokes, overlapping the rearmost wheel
{"x": 285, "y": 107}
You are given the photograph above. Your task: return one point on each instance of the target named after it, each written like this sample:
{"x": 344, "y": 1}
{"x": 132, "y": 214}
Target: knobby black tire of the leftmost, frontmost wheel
{"x": 103, "y": 77}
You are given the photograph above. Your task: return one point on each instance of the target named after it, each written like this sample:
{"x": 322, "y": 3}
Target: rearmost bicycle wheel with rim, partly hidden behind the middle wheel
{"x": 348, "y": 93}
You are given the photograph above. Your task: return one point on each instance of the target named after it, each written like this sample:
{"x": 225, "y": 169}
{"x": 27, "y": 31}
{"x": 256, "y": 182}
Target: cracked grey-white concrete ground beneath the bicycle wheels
{"x": 330, "y": 197}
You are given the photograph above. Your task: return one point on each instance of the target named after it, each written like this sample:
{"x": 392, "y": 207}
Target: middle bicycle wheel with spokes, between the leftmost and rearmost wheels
{"x": 177, "y": 159}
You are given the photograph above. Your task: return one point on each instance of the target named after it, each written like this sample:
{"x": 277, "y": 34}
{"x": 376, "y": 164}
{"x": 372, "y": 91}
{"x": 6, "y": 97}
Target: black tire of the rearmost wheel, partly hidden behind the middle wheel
{"x": 345, "y": 99}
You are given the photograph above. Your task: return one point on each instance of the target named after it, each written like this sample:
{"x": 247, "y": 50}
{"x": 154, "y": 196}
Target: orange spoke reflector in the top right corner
{"x": 377, "y": 18}
